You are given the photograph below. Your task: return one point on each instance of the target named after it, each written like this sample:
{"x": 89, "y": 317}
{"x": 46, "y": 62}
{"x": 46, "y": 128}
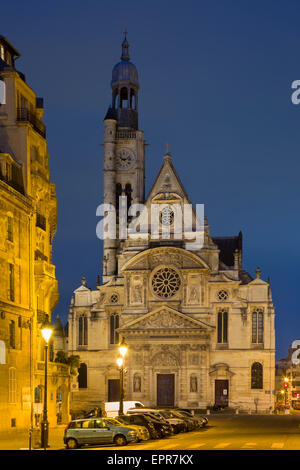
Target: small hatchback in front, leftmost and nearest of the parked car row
{"x": 93, "y": 431}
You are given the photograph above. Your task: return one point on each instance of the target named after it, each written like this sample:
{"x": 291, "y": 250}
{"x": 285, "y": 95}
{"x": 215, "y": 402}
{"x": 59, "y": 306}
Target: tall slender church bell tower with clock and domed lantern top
{"x": 124, "y": 149}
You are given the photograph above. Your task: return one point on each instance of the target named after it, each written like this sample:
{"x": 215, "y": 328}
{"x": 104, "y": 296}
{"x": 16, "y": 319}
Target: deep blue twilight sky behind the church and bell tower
{"x": 215, "y": 83}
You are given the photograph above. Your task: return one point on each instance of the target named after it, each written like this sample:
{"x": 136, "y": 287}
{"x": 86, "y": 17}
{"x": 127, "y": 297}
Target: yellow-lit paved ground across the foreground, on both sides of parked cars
{"x": 224, "y": 432}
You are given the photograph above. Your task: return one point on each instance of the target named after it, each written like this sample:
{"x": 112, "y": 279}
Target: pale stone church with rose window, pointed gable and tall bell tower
{"x": 199, "y": 327}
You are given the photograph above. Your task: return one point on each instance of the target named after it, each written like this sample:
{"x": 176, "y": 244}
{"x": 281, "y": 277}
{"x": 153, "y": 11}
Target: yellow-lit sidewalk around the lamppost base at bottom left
{"x": 19, "y": 440}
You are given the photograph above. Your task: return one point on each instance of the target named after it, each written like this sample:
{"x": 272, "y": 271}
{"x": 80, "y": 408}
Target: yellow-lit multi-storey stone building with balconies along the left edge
{"x": 28, "y": 286}
